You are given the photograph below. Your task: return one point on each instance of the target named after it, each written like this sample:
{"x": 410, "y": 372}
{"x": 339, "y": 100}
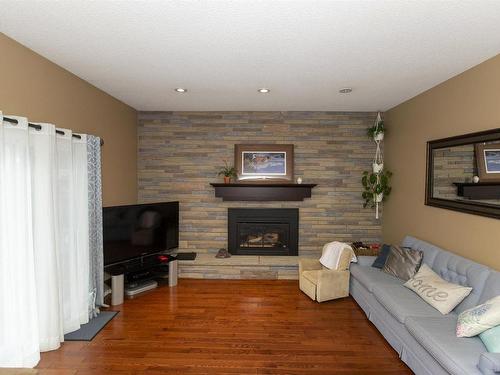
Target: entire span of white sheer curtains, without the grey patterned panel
{"x": 44, "y": 239}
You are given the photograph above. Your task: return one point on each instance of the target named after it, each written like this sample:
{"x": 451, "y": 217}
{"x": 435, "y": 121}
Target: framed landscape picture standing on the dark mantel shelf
{"x": 264, "y": 162}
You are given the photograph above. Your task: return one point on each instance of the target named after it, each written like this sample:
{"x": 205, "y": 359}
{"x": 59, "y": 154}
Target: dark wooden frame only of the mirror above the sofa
{"x": 473, "y": 207}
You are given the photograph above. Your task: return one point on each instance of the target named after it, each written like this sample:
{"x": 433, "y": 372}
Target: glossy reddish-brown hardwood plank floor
{"x": 230, "y": 327}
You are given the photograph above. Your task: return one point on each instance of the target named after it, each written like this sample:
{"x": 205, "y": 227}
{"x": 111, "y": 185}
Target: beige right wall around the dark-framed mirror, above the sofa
{"x": 467, "y": 103}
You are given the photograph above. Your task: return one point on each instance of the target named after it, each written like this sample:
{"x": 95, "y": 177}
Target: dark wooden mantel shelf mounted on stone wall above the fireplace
{"x": 262, "y": 191}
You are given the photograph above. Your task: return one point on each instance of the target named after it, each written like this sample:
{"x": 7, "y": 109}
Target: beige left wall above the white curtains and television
{"x": 34, "y": 87}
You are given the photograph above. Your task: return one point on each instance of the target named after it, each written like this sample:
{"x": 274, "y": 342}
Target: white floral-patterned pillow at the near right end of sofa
{"x": 478, "y": 319}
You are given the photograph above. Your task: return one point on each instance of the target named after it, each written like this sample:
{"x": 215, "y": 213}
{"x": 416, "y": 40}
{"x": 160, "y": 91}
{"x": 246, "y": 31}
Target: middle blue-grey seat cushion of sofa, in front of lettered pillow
{"x": 402, "y": 303}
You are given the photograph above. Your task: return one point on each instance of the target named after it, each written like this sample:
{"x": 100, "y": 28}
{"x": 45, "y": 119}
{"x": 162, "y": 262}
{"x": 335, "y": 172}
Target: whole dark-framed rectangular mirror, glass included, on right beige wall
{"x": 463, "y": 173}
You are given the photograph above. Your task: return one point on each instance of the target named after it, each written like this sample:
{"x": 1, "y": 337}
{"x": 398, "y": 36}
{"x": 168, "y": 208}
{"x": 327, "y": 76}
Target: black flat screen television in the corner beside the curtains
{"x": 139, "y": 230}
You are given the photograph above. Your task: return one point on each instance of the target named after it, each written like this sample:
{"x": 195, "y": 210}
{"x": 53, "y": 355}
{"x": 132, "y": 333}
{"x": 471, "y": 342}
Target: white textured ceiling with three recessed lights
{"x": 223, "y": 51}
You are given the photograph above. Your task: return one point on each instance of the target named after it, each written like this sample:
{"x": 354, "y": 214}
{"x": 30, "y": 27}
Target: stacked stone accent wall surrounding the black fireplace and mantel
{"x": 180, "y": 154}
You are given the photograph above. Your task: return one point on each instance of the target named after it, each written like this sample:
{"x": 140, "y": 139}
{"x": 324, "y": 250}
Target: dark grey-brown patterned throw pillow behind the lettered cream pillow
{"x": 403, "y": 263}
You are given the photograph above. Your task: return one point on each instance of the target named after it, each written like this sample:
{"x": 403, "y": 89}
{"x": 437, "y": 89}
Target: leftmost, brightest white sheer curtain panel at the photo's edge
{"x": 19, "y": 343}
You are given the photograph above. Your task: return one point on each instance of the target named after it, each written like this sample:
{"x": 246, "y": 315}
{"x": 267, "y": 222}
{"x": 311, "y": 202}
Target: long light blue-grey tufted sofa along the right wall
{"x": 424, "y": 338}
